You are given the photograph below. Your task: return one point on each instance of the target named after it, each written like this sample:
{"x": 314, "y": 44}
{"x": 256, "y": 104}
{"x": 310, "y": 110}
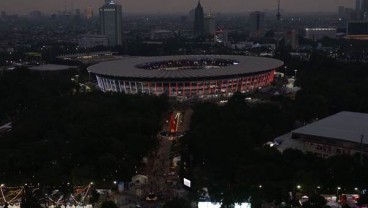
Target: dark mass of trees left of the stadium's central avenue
{"x": 59, "y": 136}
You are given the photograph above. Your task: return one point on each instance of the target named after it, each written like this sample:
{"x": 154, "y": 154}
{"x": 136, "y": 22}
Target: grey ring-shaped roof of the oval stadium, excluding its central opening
{"x": 127, "y": 67}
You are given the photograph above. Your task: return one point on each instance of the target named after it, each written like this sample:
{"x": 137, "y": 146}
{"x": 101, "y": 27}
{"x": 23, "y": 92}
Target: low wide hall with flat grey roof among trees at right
{"x": 341, "y": 133}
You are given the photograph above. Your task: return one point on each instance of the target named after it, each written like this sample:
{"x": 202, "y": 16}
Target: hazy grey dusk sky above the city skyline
{"x": 169, "y": 6}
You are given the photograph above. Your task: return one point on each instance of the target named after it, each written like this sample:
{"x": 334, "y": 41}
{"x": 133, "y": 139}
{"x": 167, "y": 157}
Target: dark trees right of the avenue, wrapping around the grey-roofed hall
{"x": 224, "y": 147}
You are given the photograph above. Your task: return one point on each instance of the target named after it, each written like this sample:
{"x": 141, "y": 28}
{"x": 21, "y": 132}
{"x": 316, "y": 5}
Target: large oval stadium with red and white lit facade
{"x": 186, "y": 77}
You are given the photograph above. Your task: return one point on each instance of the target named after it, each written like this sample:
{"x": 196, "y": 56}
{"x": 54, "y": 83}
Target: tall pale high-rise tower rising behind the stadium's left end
{"x": 111, "y": 22}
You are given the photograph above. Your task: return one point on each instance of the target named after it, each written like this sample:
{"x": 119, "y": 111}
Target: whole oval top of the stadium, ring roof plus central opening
{"x": 194, "y": 67}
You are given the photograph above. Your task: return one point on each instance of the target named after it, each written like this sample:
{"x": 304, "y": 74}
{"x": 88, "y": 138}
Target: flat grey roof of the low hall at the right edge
{"x": 348, "y": 126}
